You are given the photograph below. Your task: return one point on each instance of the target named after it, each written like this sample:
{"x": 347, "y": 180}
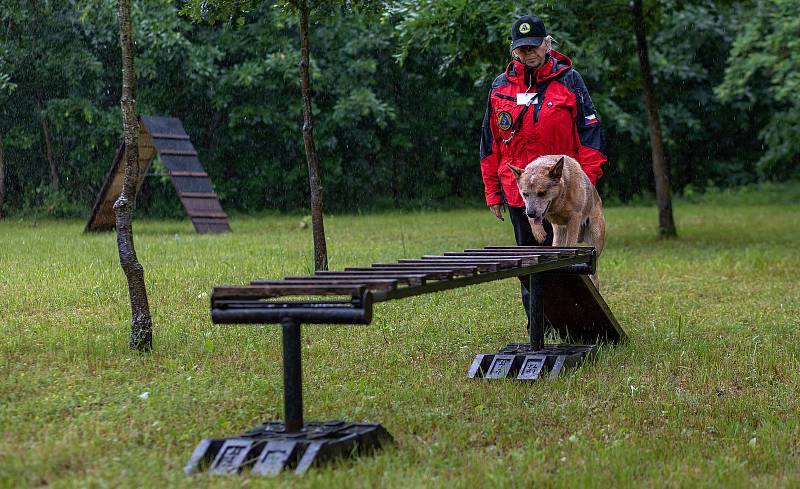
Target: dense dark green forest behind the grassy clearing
{"x": 399, "y": 95}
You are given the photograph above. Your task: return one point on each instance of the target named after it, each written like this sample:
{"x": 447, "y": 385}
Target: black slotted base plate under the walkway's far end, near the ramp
{"x": 521, "y": 362}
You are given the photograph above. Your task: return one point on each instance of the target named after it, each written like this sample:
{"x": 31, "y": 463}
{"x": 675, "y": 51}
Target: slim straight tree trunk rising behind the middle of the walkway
{"x": 320, "y": 249}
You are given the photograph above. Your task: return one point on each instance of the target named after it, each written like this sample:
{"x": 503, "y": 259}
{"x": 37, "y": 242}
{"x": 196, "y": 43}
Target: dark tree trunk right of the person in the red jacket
{"x": 666, "y": 223}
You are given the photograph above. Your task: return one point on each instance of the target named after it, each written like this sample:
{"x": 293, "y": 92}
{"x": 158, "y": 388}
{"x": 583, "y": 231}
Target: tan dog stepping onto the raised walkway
{"x": 555, "y": 187}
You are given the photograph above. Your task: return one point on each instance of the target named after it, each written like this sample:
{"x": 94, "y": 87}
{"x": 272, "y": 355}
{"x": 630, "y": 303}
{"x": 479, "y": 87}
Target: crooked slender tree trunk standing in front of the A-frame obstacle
{"x": 141, "y": 322}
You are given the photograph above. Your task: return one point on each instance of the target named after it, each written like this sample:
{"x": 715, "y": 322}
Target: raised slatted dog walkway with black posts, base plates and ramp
{"x": 561, "y": 295}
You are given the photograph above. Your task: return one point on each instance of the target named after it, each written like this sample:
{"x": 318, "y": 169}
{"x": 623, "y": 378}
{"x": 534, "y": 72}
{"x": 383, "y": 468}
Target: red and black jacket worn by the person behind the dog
{"x": 561, "y": 119}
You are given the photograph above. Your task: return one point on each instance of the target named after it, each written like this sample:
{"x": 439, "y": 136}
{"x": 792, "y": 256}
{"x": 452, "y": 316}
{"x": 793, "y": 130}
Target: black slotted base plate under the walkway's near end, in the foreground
{"x": 267, "y": 449}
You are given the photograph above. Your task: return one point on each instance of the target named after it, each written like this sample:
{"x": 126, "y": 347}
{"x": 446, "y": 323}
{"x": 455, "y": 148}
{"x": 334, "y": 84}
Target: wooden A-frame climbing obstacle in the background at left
{"x": 166, "y": 137}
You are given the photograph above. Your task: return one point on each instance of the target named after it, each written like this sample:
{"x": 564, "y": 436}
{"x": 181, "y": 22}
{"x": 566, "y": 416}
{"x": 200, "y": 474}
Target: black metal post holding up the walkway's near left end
{"x": 292, "y": 376}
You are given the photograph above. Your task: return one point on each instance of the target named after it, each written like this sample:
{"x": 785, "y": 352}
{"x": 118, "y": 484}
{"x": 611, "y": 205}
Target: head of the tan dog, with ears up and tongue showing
{"x": 539, "y": 183}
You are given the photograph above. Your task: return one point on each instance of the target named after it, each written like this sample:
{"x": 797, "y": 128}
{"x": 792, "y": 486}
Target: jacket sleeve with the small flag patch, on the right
{"x": 590, "y": 137}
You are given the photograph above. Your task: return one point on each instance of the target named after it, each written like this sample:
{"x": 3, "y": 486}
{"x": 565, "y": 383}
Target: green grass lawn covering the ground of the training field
{"x": 704, "y": 394}
